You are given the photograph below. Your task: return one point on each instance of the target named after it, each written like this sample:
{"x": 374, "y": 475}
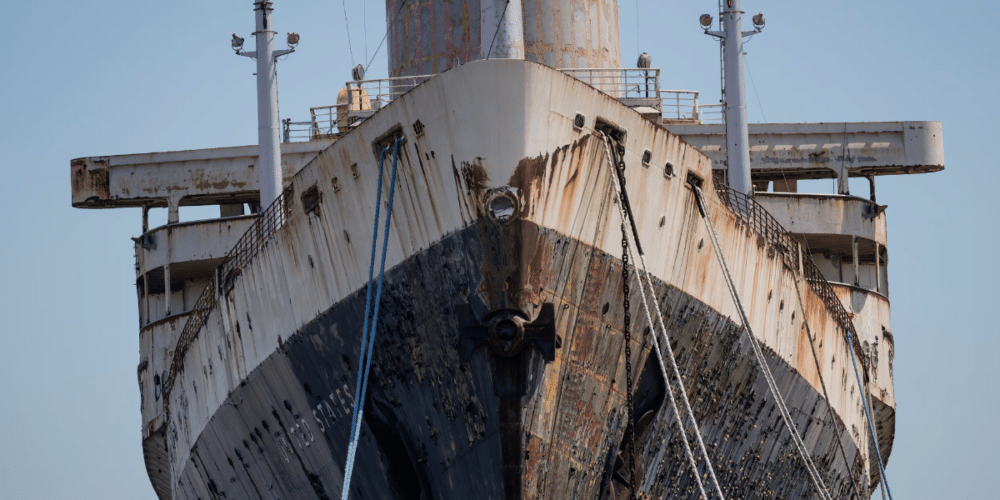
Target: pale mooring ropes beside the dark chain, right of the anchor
{"x": 624, "y": 211}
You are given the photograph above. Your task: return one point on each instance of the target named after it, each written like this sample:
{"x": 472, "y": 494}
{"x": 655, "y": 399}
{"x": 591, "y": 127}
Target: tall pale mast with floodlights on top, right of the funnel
{"x": 737, "y": 132}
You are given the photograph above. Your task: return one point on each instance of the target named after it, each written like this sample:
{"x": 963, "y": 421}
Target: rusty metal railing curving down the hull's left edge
{"x": 249, "y": 245}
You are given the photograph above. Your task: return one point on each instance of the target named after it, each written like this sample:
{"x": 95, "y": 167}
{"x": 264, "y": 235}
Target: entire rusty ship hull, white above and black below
{"x": 255, "y": 400}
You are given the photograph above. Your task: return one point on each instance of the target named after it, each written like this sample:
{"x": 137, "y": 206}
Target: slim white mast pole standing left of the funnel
{"x": 269, "y": 149}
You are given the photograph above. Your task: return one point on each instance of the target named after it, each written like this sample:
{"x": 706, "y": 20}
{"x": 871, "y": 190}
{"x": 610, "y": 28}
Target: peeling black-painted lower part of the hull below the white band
{"x": 432, "y": 426}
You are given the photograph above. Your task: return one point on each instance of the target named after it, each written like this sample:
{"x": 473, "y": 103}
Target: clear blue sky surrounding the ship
{"x": 113, "y": 77}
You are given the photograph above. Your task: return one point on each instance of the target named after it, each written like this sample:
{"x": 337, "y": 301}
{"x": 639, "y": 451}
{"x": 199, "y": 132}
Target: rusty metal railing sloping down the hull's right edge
{"x": 764, "y": 225}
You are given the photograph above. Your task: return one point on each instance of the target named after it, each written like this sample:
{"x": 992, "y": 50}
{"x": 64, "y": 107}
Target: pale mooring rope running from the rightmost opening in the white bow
{"x": 759, "y": 353}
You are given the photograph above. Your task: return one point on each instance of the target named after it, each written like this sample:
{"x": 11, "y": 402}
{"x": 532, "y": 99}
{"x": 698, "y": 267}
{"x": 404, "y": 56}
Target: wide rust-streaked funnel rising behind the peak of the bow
{"x": 426, "y": 37}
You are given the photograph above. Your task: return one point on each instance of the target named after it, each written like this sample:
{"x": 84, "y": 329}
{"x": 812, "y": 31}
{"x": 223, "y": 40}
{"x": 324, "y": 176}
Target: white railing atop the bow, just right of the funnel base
{"x": 633, "y": 86}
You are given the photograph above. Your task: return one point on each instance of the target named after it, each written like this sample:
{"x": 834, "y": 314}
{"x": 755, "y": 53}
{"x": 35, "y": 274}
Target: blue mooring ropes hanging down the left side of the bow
{"x": 368, "y": 334}
